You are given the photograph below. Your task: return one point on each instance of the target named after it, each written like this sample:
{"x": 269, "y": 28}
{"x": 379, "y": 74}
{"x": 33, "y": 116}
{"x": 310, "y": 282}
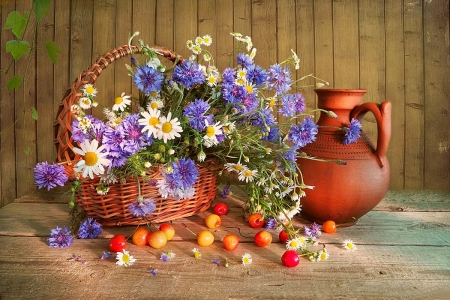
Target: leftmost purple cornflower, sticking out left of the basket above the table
{"x": 49, "y": 176}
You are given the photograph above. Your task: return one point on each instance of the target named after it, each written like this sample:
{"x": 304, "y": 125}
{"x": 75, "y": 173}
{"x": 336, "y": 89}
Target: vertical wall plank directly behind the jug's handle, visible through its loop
{"x": 372, "y": 58}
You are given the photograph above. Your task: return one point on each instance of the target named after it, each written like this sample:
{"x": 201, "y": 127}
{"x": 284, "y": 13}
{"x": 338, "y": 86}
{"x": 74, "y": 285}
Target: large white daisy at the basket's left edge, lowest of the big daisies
{"x": 94, "y": 161}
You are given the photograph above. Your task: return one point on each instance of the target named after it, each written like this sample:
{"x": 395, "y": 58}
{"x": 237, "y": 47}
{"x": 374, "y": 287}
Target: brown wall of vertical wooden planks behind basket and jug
{"x": 397, "y": 49}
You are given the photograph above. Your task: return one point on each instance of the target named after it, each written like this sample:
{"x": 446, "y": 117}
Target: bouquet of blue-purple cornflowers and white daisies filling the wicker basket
{"x": 189, "y": 114}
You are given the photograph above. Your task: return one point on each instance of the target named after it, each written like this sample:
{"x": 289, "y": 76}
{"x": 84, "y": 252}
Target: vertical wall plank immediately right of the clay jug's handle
{"x": 395, "y": 89}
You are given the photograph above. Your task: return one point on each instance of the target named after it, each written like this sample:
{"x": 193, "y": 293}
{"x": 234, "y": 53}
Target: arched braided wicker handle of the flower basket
{"x": 63, "y": 123}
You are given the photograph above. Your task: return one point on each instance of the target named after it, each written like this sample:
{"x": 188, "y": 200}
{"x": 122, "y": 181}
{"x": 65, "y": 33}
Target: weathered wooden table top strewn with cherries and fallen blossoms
{"x": 403, "y": 252}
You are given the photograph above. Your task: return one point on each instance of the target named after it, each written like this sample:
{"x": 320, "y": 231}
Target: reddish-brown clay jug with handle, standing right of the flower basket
{"x": 344, "y": 193}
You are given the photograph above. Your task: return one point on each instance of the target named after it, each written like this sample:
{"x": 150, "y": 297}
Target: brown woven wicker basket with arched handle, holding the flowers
{"x": 112, "y": 209}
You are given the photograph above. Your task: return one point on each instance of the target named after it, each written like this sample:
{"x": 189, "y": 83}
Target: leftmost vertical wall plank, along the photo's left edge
{"x": 7, "y": 117}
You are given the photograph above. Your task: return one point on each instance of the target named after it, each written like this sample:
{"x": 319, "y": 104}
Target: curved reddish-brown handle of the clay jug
{"x": 382, "y": 113}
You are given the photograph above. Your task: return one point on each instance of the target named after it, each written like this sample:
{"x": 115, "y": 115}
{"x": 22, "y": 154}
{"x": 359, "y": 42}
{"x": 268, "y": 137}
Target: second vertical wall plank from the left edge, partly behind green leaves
{"x": 25, "y": 129}
